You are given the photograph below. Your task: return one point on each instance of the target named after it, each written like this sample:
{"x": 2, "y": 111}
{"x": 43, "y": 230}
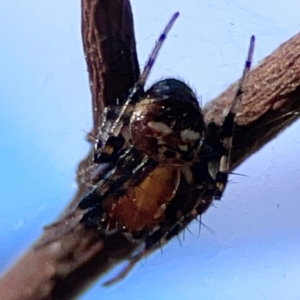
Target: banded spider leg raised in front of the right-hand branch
{"x": 228, "y": 125}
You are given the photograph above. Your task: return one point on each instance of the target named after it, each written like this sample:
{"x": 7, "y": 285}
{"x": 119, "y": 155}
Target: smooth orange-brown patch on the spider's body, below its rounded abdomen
{"x": 143, "y": 205}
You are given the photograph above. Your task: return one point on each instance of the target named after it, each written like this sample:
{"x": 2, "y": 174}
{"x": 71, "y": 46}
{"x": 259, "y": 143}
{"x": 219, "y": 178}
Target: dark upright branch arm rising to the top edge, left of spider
{"x": 109, "y": 48}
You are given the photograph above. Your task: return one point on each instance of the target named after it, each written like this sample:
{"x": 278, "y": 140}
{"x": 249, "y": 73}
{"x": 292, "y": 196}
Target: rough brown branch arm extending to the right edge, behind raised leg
{"x": 271, "y": 102}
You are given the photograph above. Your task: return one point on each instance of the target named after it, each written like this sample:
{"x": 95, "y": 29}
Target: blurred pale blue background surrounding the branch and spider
{"x": 250, "y": 247}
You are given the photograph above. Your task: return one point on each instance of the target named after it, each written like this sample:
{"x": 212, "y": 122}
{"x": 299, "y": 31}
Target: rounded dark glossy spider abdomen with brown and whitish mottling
{"x": 167, "y": 123}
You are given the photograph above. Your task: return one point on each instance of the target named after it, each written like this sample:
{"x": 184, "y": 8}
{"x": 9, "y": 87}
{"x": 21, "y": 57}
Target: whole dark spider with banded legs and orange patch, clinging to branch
{"x": 159, "y": 168}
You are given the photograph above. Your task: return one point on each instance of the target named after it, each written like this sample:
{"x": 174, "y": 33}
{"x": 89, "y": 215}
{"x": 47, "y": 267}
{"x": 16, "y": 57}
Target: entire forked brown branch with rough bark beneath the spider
{"x": 71, "y": 260}
